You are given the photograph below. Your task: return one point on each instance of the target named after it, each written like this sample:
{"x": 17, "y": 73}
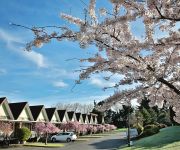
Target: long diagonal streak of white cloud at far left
{"x": 16, "y": 44}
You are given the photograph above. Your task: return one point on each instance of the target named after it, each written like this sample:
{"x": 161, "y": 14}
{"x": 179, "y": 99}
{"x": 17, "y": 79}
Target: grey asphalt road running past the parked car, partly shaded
{"x": 110, "y": 142}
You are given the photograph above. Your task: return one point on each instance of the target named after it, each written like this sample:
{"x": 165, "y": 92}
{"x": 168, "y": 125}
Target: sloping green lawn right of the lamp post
{"x": 166, "y": 139}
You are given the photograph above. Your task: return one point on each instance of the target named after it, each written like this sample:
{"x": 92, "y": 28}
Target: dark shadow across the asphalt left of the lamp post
{"x": 109, "y": 144}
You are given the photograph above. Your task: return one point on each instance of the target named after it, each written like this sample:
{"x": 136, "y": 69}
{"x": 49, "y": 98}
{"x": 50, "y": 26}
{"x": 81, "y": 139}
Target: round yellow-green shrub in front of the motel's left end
{"x": 23, "y": 134}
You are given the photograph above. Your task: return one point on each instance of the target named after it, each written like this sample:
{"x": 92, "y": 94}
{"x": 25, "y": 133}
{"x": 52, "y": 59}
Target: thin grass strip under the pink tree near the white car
{"x": 49, "y": 145}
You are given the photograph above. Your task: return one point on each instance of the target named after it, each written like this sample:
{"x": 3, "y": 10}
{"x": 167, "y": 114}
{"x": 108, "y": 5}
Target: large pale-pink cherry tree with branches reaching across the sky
{"x": 150, "y": 59}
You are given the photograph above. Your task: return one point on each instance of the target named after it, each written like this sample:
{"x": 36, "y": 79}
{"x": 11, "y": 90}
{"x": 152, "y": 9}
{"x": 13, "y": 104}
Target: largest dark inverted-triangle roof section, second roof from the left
{"x": 17, "y": 108}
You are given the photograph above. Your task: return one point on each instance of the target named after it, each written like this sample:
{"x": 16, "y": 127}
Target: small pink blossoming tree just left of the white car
{"x": 46, "y": 129}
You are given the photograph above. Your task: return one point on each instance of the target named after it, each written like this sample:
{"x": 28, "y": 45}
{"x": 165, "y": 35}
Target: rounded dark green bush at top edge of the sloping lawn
{"x": 150, "y": 130}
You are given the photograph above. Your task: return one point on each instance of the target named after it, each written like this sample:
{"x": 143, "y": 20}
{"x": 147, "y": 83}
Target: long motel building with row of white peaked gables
{"x": 20, "y": 114}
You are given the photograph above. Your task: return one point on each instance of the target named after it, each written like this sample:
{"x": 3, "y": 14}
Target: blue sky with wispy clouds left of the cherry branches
{"x": 43, "y": 76}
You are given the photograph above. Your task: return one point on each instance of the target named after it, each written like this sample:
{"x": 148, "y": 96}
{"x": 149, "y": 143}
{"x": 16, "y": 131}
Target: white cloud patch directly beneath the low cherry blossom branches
{"x": 101, "y": 83}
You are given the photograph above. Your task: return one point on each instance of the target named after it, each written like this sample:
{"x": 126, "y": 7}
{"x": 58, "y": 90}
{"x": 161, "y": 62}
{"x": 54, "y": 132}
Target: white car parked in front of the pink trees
{"x": 64, "y": 136}
